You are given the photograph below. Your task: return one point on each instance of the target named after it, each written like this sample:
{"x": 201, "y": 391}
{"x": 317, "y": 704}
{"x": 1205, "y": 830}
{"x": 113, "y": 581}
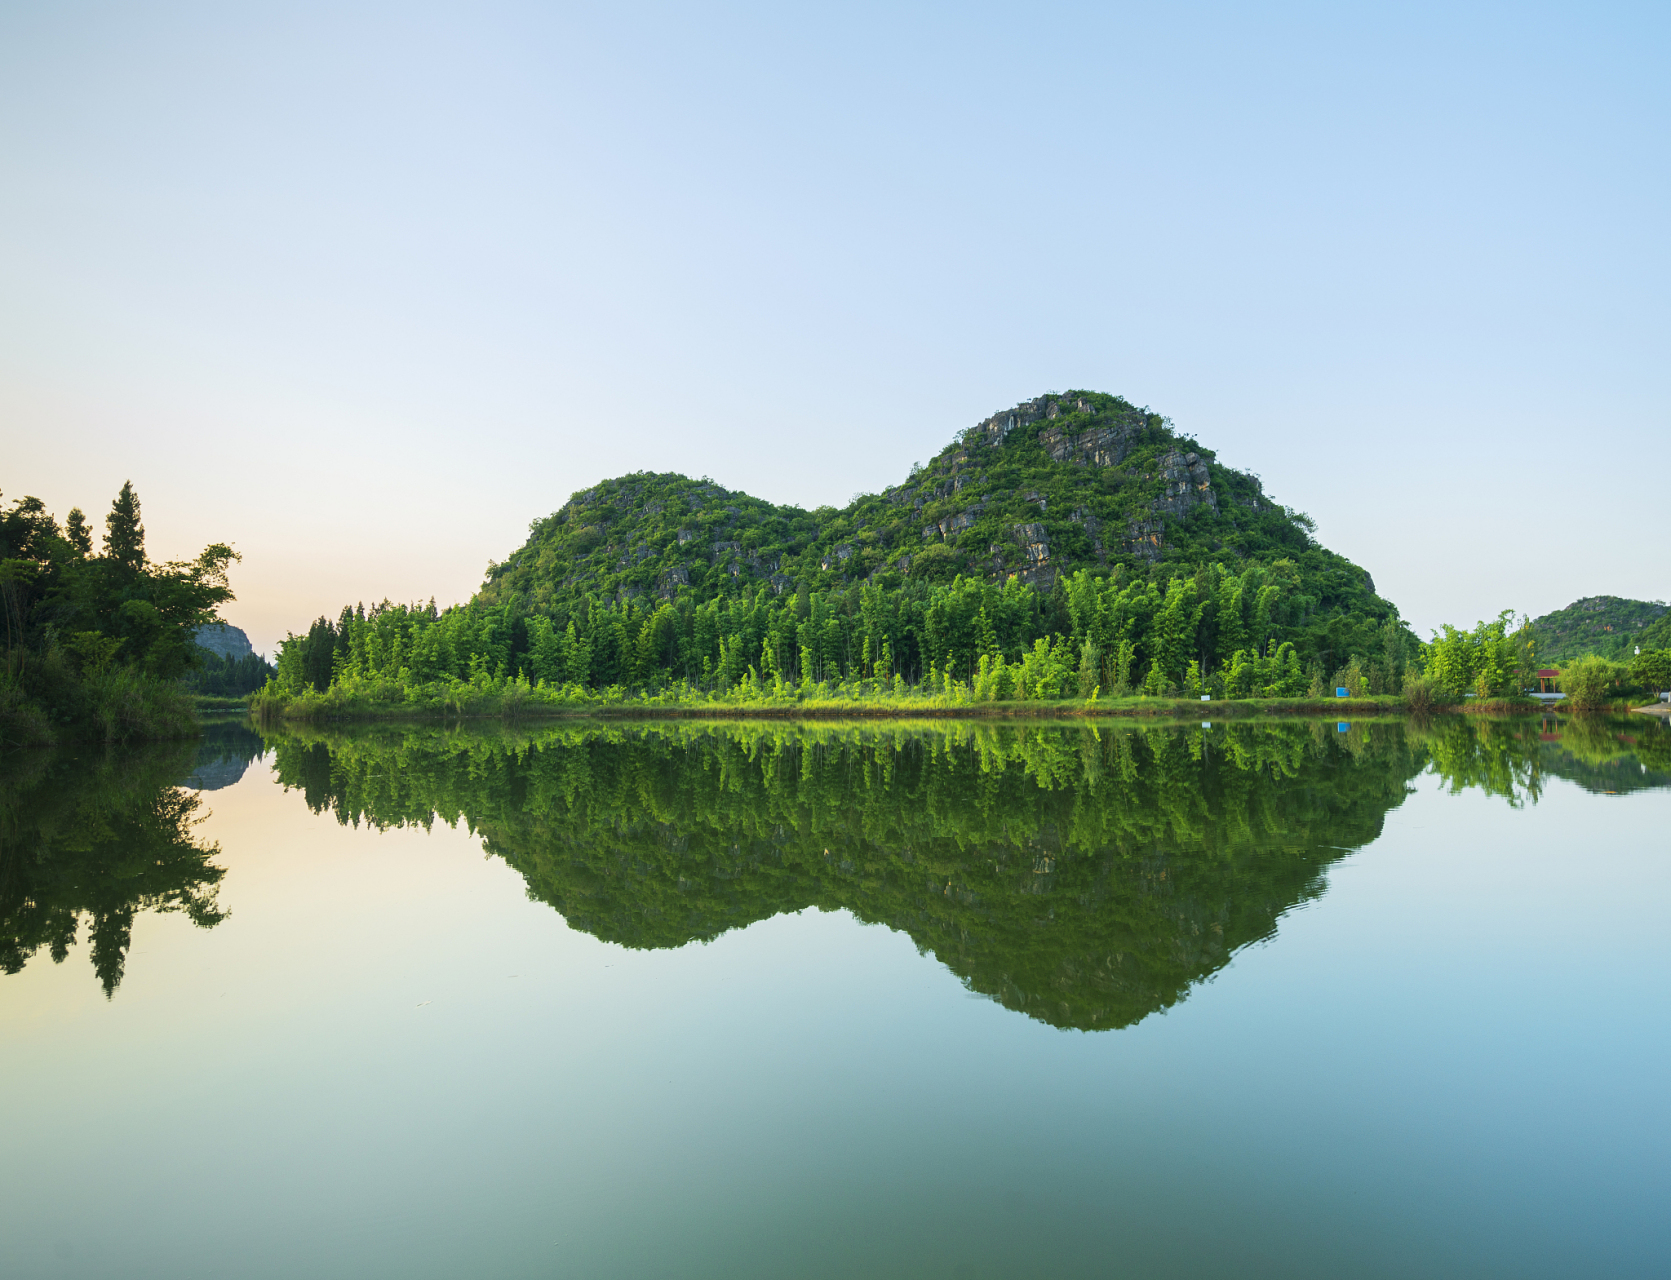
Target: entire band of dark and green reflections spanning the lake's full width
{"x": 1084, "y": 875}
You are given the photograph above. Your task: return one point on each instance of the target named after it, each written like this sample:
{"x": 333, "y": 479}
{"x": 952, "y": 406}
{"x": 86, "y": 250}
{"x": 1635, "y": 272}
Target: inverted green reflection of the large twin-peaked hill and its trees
{"x": 1087, "y": 878}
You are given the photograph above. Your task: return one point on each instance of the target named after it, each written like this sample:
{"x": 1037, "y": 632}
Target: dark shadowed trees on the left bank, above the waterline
{"x": 96, "y": 643}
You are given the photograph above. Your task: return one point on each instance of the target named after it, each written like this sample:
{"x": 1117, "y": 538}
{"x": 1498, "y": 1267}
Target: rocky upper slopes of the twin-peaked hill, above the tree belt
{"x": 1057, "y": 484}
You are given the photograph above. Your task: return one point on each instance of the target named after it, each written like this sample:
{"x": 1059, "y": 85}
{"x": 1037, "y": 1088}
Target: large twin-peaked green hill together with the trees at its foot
{"x": 1067, "y": 547}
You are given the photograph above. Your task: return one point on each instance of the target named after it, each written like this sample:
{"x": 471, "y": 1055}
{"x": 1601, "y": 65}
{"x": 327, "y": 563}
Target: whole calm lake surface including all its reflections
{"x": 1289, "y": 1000}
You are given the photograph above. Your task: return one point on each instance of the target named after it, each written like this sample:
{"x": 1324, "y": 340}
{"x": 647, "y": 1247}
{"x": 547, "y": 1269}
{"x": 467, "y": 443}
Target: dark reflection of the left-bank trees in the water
{"x": 98, "y": 840}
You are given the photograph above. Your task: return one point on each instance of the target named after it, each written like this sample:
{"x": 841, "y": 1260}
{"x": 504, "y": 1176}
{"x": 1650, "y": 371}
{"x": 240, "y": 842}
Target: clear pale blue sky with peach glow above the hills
{"x": 365, "y": 290}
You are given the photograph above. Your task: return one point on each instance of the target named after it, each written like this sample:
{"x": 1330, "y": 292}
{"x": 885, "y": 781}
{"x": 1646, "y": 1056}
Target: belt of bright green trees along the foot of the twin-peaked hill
{"x": 1257, "y": 632}
